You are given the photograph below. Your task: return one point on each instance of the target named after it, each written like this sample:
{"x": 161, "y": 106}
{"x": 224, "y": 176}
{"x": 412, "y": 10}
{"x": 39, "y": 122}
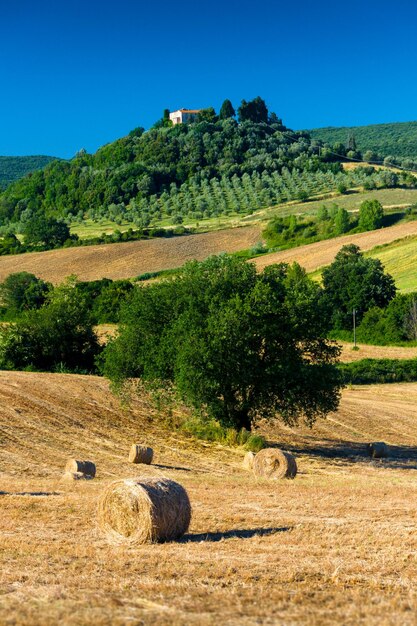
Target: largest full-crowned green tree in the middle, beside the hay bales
{"x": 234, "y": 342}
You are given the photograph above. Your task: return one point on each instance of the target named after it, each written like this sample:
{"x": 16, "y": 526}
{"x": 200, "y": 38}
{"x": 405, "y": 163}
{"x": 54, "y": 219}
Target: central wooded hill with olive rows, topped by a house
{"x": 216, "y": 164}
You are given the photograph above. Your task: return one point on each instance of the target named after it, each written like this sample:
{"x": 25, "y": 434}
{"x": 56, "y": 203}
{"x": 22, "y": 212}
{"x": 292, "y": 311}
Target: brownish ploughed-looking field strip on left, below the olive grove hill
{"x": 127, "y": 260}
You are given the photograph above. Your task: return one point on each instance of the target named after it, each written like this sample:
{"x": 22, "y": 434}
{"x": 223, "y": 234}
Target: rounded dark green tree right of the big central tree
{"x": 355, "y": 282}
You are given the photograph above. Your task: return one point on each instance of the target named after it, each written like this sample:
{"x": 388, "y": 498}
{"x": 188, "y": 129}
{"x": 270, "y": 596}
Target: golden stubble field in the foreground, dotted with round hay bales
{"x": 338, "y": 545}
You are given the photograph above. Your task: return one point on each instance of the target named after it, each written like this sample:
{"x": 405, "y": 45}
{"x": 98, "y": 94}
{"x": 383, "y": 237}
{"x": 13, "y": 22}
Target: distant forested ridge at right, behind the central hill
{"x": 396, "y": 140}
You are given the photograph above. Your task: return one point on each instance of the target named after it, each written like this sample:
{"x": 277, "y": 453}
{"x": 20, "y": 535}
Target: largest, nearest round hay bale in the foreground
{"x": 146, "y": 510}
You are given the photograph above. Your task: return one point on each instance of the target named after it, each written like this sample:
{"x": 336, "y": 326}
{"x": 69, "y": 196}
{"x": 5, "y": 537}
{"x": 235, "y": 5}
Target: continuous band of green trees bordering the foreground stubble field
{"x": 231, "y": 342}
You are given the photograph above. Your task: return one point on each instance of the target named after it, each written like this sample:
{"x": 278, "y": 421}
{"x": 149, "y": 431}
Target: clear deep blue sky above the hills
{"x": 81, "y": 73}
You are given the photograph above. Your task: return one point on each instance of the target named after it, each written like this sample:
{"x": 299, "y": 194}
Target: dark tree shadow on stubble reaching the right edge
{"x": 399, "y": 457}
